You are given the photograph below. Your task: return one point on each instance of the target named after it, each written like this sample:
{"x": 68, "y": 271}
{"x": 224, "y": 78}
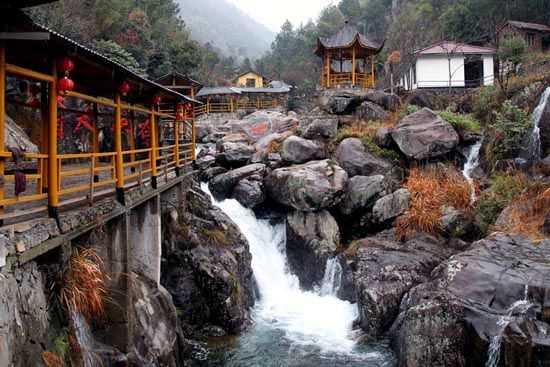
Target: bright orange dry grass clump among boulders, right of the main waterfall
{"x": 430, "y": 190}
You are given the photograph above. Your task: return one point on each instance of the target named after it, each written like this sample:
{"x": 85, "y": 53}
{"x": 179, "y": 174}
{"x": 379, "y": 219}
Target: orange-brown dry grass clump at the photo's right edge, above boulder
{"x": 526, "y": 215}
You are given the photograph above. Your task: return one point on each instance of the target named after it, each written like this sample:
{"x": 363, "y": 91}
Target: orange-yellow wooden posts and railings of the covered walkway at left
{"x": 56, "y": 179}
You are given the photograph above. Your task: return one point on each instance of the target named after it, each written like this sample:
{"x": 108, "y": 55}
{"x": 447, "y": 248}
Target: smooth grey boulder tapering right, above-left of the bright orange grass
{"x": 356, "y": 160}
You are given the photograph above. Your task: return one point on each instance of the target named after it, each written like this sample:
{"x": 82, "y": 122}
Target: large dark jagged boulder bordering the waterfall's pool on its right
{"x": 381, "y": 271}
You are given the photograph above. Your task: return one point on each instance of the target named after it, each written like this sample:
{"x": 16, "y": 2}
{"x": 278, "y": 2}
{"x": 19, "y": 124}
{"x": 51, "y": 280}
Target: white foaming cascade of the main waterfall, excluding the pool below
{"x": 317, "y": 320}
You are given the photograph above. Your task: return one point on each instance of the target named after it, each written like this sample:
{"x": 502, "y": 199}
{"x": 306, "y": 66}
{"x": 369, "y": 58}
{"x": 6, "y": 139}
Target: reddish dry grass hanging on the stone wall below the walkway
{"x": 83, "y": 285}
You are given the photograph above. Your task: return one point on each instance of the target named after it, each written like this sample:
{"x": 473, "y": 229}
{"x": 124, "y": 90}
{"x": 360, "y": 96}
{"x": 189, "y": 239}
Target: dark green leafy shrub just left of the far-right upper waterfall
{"x": 511, "y": 125}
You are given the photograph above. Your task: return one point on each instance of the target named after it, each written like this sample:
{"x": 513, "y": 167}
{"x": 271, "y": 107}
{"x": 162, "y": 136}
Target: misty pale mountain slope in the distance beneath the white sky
{"x": 225, "y": 26}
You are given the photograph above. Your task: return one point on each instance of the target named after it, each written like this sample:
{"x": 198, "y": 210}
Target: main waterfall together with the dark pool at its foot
{"x": 293, "y": 327}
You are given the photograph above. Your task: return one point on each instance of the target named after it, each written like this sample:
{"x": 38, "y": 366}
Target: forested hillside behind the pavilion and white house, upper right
{"x": 405, "y": 24}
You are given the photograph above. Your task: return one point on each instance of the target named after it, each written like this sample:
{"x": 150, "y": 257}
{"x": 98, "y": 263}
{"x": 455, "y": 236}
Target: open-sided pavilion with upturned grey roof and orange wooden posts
{"x": 348, "y": 59}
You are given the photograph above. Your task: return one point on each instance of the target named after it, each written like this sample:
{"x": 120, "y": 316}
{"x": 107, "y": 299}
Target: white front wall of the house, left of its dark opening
{"x": 432, "y": 71}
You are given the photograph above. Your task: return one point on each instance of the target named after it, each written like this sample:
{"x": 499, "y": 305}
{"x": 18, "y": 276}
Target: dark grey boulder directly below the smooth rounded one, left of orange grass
{"x": 361, "y": 192}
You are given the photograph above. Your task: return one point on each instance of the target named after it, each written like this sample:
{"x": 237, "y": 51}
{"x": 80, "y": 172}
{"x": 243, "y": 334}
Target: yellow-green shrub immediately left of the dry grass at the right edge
{"x": 502, "y": 191}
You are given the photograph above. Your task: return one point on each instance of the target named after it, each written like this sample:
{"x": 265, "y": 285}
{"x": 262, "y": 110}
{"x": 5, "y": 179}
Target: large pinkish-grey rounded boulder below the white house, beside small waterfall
{"x": 424, "y": 135}
